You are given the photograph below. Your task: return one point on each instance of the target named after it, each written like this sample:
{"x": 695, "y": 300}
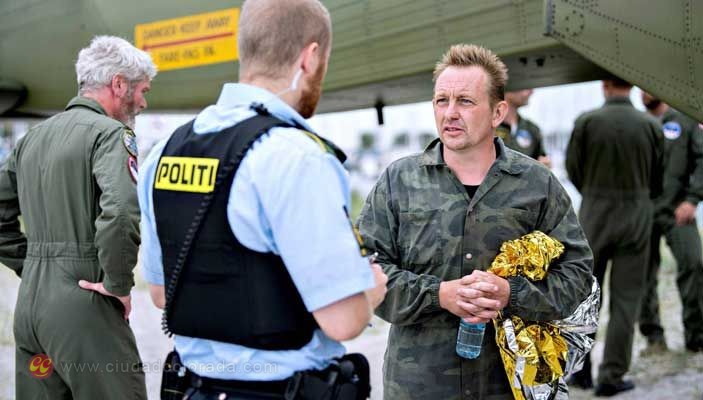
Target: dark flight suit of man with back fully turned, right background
{"x": 615, "y": 159}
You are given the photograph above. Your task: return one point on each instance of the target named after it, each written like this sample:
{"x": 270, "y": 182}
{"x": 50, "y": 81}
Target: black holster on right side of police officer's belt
{"x": 347, "y": 378}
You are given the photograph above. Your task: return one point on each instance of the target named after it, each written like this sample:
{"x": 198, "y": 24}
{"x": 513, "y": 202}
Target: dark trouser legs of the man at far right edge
{"x": 685, "y": 244}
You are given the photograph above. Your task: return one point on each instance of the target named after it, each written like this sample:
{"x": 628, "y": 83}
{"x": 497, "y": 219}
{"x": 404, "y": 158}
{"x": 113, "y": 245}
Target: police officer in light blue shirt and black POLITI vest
{"x": 246, "y": 237}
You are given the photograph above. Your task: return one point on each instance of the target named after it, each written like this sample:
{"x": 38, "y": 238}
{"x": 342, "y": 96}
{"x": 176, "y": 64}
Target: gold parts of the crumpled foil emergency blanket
{"x": 533, "y": 353}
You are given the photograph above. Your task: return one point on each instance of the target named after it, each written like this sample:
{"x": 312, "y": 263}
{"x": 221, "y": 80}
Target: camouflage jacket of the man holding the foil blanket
{"x": 426, "y": 230}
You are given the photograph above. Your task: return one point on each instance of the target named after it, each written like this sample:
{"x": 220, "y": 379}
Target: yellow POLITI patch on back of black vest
{"x": 186, "y": 174}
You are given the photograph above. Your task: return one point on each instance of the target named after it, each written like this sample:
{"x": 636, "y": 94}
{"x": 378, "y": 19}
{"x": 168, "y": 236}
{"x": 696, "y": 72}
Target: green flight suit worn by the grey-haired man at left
{"x": 70, "y": 179}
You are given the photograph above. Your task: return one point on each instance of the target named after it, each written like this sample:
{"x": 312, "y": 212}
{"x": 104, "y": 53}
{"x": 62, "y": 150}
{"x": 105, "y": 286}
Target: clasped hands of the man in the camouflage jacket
{"x": 483, "y": 295}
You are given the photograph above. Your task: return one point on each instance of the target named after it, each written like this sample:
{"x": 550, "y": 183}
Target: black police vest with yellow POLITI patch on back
{"x": 225, "y": 292}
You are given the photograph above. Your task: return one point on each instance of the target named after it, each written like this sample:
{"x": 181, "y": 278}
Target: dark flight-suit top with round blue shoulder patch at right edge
{"x": 683, "y": 172}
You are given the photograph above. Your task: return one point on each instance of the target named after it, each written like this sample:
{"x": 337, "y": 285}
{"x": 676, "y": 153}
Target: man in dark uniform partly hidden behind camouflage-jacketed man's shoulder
{"x": 521, "y": 134}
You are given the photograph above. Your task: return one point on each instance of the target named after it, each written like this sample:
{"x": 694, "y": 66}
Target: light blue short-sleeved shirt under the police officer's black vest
{"x": 288, "y": 198}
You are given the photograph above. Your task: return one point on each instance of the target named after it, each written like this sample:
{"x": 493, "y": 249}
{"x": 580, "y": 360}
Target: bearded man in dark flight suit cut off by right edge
{"x": 675, "y": 219}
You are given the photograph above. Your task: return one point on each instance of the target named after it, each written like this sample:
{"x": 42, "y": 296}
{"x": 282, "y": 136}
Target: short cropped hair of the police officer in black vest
{"x": 272, "y": 33}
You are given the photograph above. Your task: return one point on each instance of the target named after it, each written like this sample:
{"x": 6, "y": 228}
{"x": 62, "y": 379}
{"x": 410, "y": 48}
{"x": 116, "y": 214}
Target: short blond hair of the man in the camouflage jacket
{"x": 471, "y": 55}
